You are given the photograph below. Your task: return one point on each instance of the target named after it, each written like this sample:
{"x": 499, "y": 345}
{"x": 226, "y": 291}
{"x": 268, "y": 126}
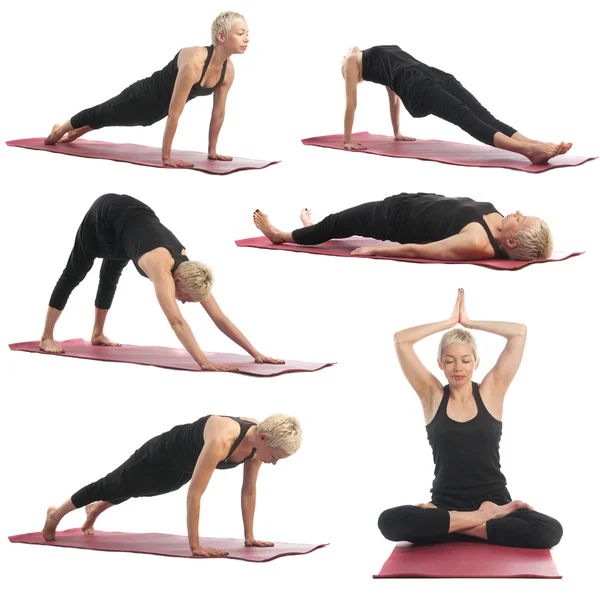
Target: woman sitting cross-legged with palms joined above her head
{"x": 464, "y": 426}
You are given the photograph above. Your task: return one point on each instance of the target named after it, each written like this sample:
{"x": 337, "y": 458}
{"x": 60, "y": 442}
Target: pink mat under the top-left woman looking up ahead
{"x": 143, "y": 155}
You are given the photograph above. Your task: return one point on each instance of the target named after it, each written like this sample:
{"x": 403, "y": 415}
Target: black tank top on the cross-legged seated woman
{"x": 466, "y": 455}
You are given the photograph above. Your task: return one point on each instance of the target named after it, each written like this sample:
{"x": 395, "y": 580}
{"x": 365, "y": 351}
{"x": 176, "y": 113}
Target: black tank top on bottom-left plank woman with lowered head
{"x": 184, "y": 443}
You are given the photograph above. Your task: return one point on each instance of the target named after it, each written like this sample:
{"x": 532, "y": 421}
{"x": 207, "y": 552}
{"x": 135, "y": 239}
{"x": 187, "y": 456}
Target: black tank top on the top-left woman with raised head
{"x": 158, "y": 88}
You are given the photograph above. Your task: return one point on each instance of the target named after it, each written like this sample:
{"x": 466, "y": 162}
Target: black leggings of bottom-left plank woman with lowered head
{"x": 147, "y": 472}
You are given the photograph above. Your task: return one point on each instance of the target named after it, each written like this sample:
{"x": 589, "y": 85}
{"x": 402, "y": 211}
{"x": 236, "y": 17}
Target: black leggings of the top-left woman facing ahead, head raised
{"x": 122, "y": 110}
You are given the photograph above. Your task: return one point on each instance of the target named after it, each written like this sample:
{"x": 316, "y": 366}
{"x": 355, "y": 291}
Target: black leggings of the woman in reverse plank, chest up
{"x": 447, "y": 99}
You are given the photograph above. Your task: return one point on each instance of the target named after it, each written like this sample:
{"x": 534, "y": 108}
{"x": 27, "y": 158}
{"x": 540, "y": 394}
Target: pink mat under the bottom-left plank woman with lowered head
{"x": 161, "y": 544}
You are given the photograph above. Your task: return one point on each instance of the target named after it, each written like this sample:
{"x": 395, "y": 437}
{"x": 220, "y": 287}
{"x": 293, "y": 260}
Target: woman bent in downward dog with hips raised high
{"x": 119, "y": 228}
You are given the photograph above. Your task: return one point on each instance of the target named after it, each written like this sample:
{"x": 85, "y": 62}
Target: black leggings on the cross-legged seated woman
{"x": 521, "y": 529}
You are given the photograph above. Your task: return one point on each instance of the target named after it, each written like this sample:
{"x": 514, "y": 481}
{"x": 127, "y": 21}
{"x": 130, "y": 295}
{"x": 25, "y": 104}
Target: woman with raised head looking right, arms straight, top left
{"x": 195, "y": 71}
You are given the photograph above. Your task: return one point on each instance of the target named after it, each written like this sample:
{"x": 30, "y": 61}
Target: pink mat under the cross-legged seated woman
{"x": 468, "y": 559}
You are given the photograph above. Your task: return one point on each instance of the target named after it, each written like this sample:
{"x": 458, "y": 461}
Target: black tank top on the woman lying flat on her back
{"x": 422, "y": 218}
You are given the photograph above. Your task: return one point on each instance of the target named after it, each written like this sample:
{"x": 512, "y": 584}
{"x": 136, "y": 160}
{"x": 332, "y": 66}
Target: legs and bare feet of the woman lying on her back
{"x": 358, "y": 220}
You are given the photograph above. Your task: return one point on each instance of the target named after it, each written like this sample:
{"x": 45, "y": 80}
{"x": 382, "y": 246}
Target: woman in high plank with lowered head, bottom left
{"x": 189, "y": 453}
